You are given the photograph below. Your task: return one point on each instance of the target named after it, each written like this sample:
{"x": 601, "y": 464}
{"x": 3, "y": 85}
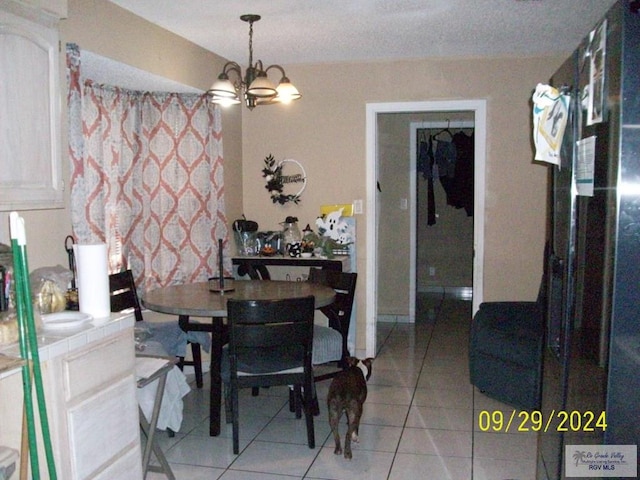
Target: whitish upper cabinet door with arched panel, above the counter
{"x": 30, "y": 169}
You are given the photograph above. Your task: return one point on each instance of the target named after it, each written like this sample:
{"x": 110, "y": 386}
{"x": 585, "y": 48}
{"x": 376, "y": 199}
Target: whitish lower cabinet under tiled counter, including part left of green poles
{"x": 90, "y": 389}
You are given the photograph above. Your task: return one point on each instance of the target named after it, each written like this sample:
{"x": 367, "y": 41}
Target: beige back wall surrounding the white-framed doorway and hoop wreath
{"x": 325, "y": 130}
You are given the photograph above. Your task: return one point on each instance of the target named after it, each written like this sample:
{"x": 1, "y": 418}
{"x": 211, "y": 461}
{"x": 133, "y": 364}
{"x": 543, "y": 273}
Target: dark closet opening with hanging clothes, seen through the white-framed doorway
{"x": 444, "y": 162}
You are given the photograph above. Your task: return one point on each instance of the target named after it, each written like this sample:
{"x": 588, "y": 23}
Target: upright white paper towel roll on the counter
{"x": 93, "y": 279}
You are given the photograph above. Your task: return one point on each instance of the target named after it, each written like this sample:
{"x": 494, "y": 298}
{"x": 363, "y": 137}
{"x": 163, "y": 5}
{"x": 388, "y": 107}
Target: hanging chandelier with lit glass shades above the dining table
{"x": 254, "y": 85}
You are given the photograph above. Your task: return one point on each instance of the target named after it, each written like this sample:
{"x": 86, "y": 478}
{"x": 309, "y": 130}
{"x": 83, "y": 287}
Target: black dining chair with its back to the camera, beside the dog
{"x": 270, "y": 343}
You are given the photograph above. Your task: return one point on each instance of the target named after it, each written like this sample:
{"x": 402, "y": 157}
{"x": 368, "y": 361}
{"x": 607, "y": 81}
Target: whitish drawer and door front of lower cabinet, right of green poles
{"x": 94, "y": 391}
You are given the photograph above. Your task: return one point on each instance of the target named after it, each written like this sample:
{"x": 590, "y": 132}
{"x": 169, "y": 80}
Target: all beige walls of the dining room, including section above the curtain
{"x": 325, "y": 131}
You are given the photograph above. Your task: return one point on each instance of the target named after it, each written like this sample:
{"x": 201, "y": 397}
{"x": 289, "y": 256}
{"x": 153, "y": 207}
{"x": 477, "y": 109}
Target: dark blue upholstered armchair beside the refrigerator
{"x": 505, "y": 351}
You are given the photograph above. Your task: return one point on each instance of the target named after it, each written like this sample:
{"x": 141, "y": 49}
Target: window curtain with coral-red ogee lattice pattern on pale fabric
{"x": 146, "y": 178}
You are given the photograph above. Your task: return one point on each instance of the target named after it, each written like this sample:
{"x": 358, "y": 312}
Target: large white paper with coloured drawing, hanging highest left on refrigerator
{"x": 550, "y": 113}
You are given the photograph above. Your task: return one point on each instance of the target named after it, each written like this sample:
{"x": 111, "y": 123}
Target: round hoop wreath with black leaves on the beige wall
{"x": 285, "y": 175}
